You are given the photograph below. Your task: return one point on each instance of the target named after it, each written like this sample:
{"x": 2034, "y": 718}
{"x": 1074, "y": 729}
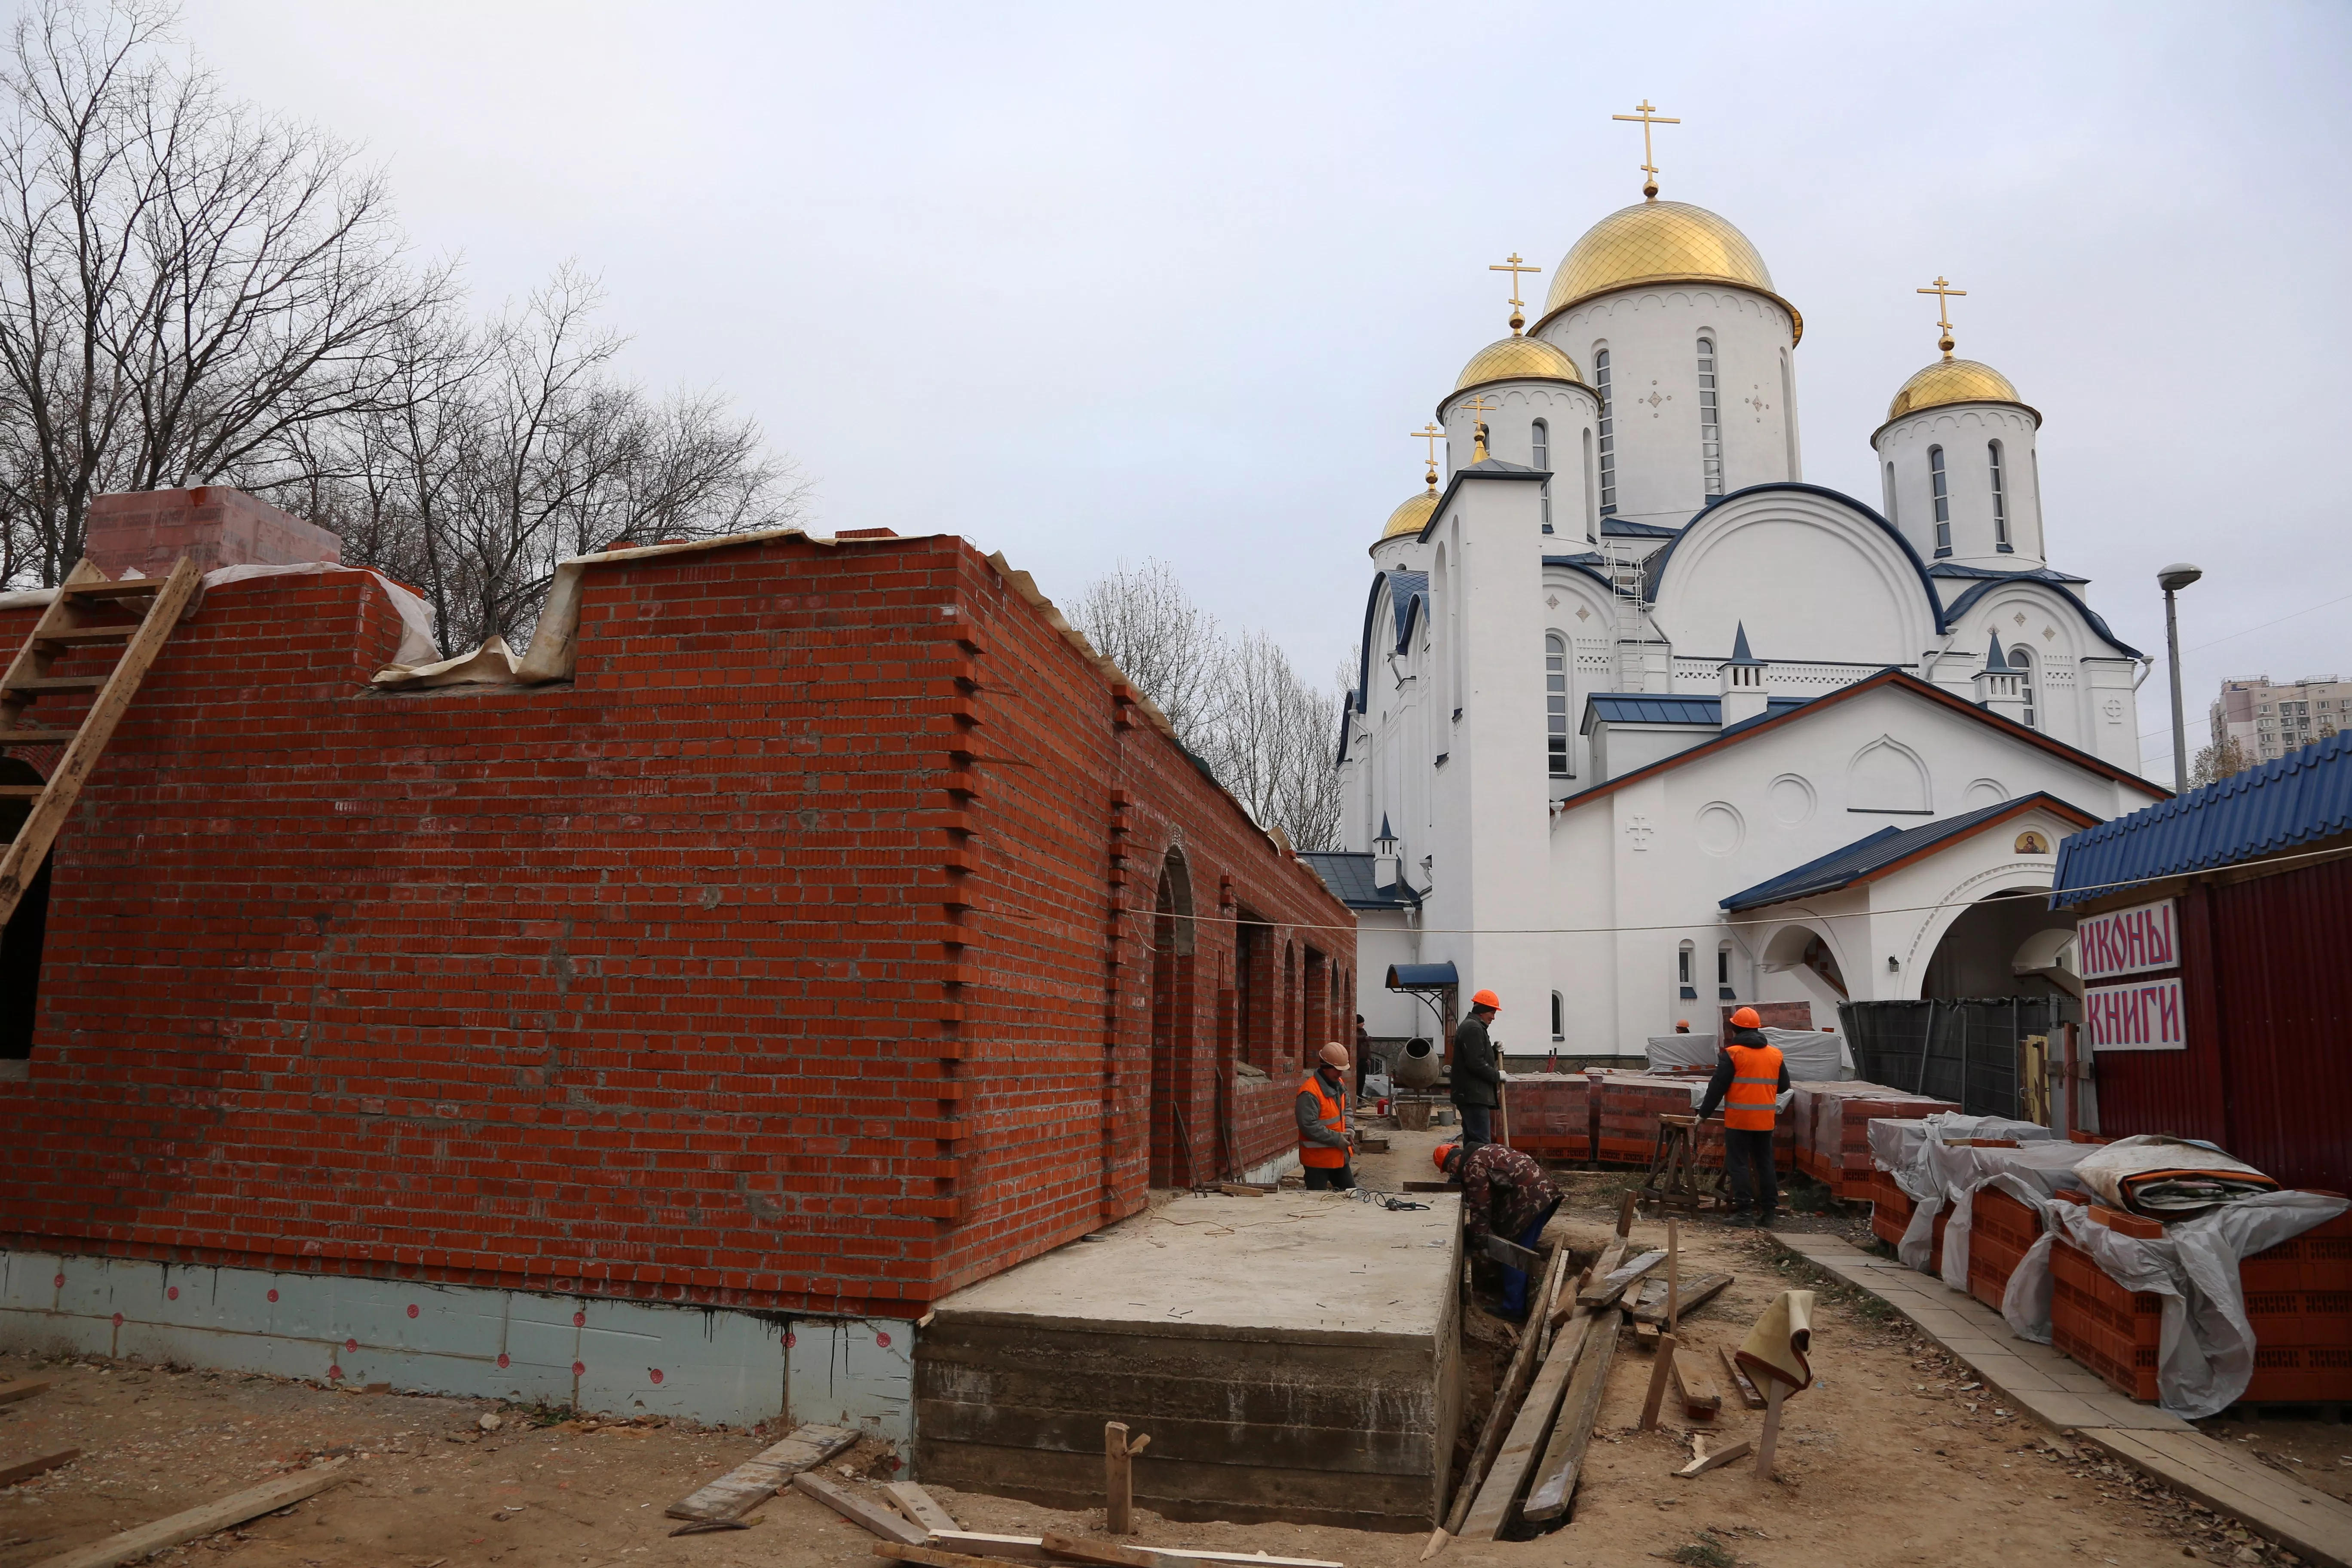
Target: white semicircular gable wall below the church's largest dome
{"x": 1805, "y": 575}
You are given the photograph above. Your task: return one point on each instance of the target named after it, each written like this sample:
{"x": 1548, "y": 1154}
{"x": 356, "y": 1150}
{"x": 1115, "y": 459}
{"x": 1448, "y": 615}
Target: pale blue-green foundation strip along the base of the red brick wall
{"x": 582, "y": 1353}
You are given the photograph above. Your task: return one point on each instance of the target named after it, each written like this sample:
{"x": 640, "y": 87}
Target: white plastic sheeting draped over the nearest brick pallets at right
{"x": 2205, "y": 1343}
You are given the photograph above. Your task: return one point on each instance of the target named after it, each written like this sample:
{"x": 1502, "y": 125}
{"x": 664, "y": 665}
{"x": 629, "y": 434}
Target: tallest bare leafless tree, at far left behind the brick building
{"x": 187, "y": 288}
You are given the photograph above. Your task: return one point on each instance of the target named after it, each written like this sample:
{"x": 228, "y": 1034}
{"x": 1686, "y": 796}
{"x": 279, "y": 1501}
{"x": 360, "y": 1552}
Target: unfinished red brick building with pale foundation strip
{"x": 806, "y": 930}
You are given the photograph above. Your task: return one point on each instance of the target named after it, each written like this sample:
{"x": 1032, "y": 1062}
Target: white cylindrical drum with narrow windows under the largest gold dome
{"x": 1652, "y": 340}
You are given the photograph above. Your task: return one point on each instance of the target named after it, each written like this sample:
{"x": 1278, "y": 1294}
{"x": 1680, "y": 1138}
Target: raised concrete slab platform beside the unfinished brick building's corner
{"x": 1292, "y": 1358}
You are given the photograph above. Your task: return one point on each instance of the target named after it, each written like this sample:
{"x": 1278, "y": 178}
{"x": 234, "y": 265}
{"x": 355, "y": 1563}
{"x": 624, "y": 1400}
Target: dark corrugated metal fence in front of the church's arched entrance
{"x": 1963, "y": 1052}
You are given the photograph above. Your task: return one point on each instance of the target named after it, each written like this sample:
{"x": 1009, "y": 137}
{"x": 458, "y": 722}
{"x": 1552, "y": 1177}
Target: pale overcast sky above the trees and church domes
{"x": 1100, "y": 283}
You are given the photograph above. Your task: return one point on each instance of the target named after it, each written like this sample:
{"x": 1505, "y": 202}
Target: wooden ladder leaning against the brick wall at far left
{"x": 76, "y": 619}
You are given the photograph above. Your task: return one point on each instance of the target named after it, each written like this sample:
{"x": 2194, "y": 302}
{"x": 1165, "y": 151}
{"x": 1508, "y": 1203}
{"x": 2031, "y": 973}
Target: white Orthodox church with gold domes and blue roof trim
{"x": 1650, "y": 728}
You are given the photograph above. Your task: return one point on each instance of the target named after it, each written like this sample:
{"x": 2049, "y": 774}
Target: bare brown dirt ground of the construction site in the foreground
{"x": 1892, "y": 1459}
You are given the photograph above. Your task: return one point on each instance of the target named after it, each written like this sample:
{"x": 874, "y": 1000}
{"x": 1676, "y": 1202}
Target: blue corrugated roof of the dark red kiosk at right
{"x": 2264, "y": 812}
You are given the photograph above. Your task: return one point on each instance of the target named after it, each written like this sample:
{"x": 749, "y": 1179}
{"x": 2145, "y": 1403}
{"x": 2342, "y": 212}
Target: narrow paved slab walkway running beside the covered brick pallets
{"x": 2064, "y": 1395}
